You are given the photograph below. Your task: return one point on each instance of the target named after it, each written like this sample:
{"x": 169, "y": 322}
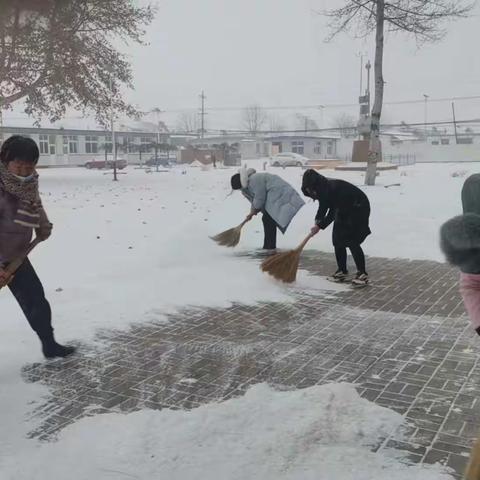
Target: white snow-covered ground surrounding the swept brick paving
{"x": 135, "y": 250}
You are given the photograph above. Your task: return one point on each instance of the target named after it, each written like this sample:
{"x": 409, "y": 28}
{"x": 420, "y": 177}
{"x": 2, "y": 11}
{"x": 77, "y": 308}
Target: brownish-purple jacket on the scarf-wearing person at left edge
{"x": 16, "y": 226}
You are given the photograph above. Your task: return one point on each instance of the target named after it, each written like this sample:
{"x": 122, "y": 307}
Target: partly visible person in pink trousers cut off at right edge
{"x": 460, "y": 242}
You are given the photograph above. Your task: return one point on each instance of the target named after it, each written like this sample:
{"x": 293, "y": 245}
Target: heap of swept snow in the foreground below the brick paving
{"x": 320, "y": 433}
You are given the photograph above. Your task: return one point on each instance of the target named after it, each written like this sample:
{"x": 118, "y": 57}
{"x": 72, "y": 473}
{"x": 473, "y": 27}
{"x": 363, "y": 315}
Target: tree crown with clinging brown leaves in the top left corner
{"x": 56, "y": 54}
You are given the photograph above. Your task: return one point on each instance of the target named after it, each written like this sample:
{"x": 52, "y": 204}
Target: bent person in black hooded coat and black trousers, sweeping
{"x": 348, "y": 208}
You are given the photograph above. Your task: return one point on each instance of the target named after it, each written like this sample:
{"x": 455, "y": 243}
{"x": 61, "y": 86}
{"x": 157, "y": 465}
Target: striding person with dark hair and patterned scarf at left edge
{"x": 21, "y": 213}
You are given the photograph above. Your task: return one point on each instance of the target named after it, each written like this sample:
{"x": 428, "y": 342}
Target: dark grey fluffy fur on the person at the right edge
{"x": 460, "y": 242}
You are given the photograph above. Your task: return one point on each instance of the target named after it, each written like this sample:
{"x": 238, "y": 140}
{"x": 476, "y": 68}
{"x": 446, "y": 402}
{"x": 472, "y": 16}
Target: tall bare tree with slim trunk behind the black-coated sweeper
{"x": 423, "y": 19}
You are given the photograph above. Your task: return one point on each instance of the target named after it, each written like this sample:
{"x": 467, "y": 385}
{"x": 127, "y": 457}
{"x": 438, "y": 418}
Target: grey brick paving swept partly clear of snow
{"x": 404, "y": 341}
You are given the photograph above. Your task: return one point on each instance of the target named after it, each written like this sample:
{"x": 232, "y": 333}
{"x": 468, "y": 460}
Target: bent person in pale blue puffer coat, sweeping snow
{"x": 269, "y": 194}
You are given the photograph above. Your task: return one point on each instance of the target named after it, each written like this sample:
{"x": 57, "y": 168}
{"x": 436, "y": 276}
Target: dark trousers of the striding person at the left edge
{"x": 28, "y": 290}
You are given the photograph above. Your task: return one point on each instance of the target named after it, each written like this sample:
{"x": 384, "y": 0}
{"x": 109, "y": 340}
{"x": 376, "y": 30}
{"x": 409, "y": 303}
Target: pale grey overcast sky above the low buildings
{"x": 273, "y": 53}
